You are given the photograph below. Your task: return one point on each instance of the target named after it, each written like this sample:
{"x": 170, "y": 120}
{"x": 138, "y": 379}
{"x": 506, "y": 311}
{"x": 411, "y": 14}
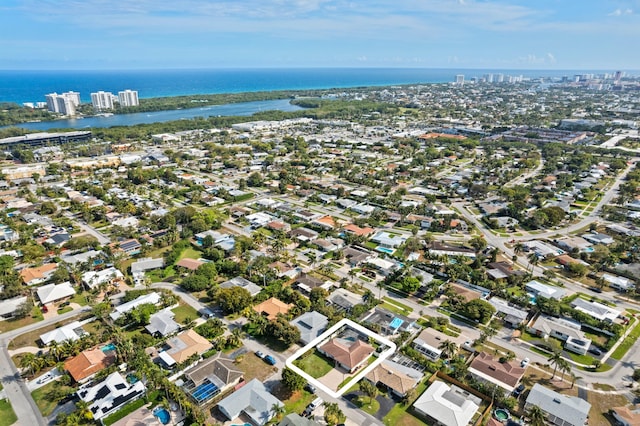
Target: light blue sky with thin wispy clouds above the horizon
{"x": 139, "y": 34}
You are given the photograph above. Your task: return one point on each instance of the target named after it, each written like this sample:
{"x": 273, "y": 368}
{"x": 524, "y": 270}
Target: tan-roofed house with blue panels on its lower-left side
{"x": 211, "y": 377}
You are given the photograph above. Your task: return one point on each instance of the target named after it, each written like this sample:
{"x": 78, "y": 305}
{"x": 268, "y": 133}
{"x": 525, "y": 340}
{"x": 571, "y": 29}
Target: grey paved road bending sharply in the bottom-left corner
{"x": 16, "y": 390}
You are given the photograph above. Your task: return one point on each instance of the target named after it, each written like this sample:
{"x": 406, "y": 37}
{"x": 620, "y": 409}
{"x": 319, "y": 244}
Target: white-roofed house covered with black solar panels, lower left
{"x": 111, "y": 394}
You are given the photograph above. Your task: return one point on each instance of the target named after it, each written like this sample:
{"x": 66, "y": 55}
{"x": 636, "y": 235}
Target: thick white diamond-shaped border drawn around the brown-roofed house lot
{"x": 344, "y": 322}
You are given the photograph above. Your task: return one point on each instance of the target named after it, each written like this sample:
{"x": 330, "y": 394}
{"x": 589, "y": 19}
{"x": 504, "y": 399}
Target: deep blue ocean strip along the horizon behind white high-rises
{"x": 32, "y": 86}
